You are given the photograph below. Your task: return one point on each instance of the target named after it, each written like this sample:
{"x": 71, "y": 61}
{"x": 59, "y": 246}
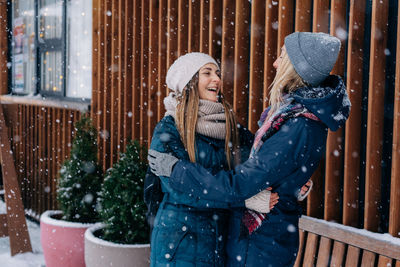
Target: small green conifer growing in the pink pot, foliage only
{"x": 80, "y": 176}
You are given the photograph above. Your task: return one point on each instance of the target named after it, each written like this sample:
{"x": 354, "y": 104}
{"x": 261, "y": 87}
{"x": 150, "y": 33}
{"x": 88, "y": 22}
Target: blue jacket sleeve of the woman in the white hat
{"x": 166, "y": 139}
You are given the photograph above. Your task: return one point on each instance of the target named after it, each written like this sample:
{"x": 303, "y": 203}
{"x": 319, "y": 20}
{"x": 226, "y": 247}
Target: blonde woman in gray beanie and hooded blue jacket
{"x": 305, "y": 101}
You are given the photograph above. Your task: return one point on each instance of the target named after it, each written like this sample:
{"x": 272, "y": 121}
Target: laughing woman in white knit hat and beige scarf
{"x": 199, "y": 126}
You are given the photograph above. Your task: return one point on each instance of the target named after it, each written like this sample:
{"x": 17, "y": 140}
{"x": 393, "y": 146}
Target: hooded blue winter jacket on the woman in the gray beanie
{"x": 285, "y": 161}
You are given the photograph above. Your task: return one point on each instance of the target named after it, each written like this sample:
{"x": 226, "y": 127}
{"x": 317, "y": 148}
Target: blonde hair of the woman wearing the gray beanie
{"x": 286, "y": 81}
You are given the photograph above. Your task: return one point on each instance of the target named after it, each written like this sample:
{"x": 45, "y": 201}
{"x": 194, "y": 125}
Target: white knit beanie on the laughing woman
{"x": 184, "y": 68}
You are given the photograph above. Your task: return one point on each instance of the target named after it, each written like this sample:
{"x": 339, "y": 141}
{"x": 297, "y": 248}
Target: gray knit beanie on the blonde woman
{"x": 313, "y": 55}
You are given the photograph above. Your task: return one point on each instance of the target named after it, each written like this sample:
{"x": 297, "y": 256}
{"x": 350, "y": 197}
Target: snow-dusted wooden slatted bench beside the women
{"x": 325, "y": 243}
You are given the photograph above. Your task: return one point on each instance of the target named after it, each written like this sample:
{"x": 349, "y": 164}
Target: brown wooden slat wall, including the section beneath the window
{"x": 134, "y": 43}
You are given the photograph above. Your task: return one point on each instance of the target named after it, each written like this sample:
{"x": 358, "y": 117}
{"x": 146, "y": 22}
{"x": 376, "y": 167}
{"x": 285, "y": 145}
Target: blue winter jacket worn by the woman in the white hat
{"x": 190, "y": 230}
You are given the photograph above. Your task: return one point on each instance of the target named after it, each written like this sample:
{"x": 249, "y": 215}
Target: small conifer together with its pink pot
{"x": 80, "y": 178}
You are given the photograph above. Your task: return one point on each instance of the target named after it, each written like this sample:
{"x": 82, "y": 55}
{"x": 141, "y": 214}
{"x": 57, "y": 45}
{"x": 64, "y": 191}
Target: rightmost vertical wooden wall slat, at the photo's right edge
{"x": 394, "y": 217}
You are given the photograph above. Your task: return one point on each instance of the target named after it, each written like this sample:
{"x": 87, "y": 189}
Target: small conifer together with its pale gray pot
{"x": 122, "y": 238}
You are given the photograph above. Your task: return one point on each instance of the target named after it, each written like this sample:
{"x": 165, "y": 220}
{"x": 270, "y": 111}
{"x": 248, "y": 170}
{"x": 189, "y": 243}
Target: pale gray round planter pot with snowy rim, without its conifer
{"x": 101, "y": 253}
